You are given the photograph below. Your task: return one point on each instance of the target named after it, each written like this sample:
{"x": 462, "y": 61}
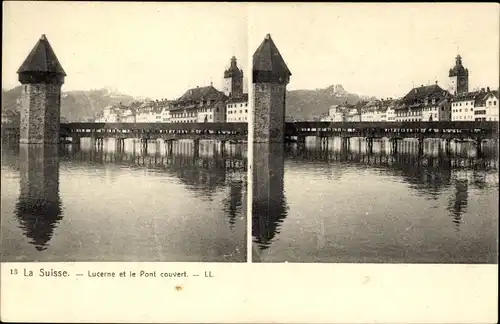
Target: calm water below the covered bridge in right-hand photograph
{"x": 346, "y": 205}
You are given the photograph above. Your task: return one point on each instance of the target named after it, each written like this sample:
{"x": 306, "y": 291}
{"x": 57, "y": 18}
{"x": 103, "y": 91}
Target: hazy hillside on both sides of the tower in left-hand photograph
{"x": 75, "y": 105}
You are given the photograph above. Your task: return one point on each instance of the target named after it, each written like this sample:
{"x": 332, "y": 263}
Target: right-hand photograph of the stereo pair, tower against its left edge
{"x": 375, "y": 133}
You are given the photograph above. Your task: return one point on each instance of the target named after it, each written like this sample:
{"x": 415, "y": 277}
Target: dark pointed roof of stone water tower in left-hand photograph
{"x": 42, "y": 59}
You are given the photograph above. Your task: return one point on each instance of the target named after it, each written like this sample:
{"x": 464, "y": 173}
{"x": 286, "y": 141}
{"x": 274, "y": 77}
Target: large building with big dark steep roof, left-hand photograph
{"x": 199, "y": 105}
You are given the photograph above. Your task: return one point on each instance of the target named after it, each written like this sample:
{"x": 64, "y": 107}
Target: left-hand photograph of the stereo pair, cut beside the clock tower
{"x": 124, "y": 132}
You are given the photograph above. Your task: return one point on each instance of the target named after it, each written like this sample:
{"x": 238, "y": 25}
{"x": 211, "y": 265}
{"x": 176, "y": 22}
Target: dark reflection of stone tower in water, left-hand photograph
{"x": 39, "y": 206}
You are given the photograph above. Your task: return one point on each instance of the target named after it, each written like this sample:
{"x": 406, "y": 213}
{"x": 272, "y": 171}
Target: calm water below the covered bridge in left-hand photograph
{"x": 87, "y": 204}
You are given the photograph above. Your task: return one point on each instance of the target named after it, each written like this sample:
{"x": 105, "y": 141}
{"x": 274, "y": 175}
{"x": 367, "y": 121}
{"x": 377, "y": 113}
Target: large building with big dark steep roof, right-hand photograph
{"x": 425, "y": 103}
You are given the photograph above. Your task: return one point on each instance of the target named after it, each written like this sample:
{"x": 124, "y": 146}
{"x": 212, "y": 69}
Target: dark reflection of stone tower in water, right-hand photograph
{"x": 269, "y": 207}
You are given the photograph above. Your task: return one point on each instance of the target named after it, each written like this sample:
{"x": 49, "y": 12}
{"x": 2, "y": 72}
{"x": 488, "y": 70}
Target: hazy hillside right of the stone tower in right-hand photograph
{"x": 314, "y": 104}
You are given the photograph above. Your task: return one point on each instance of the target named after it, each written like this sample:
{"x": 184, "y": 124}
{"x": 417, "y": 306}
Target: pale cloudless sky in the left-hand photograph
{"x": 157, "y": 50}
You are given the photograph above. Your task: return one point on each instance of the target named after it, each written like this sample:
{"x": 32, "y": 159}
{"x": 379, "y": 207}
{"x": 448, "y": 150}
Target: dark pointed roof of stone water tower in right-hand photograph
{"x": 267, "y": 58}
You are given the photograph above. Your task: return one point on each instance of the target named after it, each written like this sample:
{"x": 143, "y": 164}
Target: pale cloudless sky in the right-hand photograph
{"x": 380, "y": 49}
